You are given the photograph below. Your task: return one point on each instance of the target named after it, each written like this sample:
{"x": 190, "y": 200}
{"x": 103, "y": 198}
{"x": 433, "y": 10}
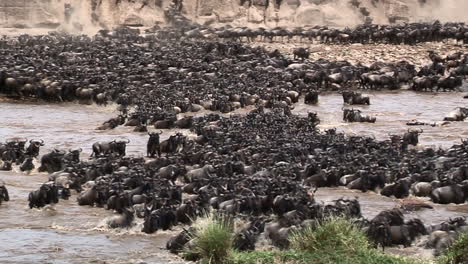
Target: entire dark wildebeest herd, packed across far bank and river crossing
{"x": 263, "y": 167}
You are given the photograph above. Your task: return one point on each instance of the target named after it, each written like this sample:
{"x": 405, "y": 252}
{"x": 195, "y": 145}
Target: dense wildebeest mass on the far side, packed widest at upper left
{"x": 163, "y": 78}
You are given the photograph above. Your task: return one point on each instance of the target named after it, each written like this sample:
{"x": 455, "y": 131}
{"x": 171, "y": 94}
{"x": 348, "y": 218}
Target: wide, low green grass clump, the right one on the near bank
{"x": 333, "y": 234}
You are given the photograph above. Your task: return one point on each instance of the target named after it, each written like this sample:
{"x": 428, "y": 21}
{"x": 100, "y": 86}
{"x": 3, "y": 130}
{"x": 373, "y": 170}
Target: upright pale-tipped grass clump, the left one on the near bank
{"x": 212, "y": 238}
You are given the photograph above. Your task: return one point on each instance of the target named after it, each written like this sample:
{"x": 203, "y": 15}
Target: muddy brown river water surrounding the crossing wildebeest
{"x": 68, "y": 233}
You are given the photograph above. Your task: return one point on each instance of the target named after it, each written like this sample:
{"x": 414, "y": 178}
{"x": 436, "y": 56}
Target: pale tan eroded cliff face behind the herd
{"x": 90, "y": 15}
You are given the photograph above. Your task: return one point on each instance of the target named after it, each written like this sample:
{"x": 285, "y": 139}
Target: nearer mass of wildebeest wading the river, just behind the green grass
{"x": 264, "y": 168}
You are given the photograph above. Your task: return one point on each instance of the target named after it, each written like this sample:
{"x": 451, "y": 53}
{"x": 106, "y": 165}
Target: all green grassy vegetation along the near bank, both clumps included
{"x": 336, "y": 240}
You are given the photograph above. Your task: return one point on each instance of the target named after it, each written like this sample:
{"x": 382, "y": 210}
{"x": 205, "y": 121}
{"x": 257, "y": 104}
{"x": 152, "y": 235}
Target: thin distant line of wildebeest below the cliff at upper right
{"x": 409, "y": 34}
